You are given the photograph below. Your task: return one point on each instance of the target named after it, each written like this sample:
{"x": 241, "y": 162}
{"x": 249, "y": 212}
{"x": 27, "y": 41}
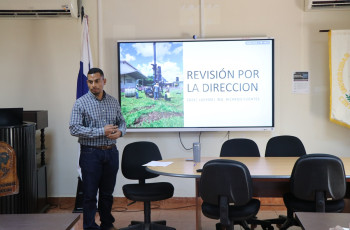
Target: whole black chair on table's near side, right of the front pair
{"x": 317, "y": 184}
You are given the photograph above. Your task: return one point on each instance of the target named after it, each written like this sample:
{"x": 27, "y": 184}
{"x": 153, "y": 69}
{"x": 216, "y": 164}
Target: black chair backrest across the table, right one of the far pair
{"x": 284, "y": 146}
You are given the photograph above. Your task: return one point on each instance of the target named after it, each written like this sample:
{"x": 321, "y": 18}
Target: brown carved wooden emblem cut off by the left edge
{"x": 8, "y": 170}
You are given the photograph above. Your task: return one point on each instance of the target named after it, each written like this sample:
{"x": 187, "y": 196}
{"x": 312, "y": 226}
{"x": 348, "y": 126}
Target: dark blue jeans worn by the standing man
{"x": 99, "y": 170}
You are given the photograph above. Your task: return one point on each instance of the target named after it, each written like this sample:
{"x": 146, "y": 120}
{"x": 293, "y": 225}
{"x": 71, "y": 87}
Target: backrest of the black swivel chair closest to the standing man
{"x": 137, "y": 154}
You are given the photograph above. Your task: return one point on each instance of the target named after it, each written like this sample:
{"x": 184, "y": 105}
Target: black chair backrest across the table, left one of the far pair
{"x": 239, "y": 147}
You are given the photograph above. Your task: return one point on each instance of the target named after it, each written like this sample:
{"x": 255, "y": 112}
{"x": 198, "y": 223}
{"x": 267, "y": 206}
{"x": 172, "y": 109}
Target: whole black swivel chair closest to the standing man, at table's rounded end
{"x": 134, "y": 156}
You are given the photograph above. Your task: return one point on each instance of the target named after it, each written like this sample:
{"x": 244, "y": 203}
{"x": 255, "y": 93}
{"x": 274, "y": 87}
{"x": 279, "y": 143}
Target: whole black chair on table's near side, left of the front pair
{"x": 226, "y": 191}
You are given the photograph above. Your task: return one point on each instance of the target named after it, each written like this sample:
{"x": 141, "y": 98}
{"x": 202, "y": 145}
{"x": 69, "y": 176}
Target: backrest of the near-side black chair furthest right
{"x": 314, "y": 173}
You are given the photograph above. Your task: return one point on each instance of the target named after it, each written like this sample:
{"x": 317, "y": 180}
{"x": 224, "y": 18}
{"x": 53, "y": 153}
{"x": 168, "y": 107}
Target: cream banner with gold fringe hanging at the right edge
{"x": 339, "y": 65}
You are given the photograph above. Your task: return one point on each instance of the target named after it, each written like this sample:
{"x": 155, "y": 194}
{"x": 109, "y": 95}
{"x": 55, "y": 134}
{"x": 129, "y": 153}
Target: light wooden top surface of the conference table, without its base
{"x": 259, "y": 167}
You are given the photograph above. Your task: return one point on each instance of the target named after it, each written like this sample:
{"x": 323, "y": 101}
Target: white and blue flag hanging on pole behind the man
{"x": 85, "y": 60}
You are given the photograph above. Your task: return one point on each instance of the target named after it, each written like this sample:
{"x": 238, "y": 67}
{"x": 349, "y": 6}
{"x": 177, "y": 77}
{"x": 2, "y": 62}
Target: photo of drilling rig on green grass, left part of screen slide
{"x": 151, "y": 91}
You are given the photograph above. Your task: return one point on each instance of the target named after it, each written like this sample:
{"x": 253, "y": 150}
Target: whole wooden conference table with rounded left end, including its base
{"x": 270, "y": 175}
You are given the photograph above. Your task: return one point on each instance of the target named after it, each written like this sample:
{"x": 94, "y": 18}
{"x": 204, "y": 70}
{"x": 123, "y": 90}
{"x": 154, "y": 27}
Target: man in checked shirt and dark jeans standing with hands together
{"x": 97, "y": 122}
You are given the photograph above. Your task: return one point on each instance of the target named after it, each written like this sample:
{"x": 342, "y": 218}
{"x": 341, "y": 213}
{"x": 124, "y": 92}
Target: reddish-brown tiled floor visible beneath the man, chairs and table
{"x": 181, "y": 217}
